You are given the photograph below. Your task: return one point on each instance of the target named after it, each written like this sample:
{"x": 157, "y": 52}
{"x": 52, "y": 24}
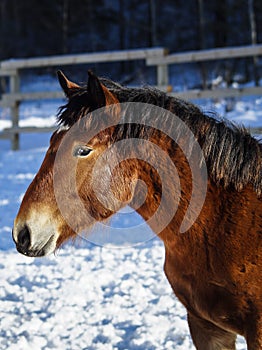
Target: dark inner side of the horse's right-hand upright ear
{"x": 95, "y": 91}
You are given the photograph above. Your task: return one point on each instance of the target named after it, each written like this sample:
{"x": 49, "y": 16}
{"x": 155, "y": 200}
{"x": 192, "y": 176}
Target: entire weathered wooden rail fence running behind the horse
{"x": 157, "y": 57}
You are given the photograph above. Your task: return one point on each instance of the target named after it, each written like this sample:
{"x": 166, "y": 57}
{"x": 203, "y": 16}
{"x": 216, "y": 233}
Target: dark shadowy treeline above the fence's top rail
{"x": 35, "y": 28}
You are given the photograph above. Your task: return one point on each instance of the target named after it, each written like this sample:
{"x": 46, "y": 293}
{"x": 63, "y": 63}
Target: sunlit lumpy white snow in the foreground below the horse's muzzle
{"x": 90, "y": 298}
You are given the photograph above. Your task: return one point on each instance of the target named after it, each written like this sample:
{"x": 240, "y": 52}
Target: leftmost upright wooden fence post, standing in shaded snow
{"x": 14, "y": 88}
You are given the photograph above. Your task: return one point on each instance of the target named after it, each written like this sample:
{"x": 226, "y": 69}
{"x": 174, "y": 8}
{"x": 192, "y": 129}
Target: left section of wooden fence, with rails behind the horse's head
{"x": 12, "y": 69}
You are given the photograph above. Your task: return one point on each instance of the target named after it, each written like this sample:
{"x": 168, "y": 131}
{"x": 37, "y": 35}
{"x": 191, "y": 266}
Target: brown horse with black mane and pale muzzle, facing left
{"x": 214, "y": 266}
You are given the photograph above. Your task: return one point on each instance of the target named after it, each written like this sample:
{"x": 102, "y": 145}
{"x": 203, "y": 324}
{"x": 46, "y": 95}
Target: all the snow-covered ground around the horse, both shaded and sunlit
{"x": 86, "y": 297}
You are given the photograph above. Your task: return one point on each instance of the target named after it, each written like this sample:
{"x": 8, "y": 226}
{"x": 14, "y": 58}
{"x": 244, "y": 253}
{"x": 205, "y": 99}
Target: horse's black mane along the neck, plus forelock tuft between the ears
{"x": 232, "y": 155}
